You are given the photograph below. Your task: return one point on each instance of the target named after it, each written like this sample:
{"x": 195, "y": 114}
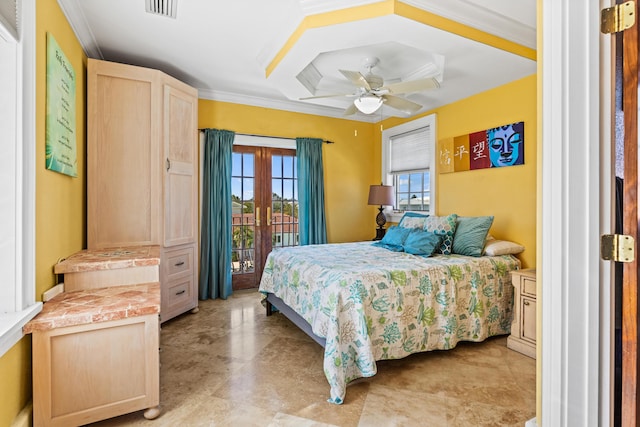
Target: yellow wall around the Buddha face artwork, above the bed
{"x": 509, "y": 194}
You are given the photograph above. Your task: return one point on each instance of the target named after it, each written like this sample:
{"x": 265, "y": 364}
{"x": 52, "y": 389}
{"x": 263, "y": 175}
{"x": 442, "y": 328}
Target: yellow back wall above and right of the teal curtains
{"x": 351, "y": 164}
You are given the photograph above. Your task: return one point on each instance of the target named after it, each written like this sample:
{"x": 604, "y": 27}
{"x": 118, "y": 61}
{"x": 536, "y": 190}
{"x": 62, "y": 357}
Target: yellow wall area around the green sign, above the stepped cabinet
{"x": 60, "y": 199}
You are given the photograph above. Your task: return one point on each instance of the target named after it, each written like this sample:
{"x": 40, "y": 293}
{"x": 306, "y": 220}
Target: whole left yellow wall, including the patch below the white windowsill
{"x": 60, "y": 201}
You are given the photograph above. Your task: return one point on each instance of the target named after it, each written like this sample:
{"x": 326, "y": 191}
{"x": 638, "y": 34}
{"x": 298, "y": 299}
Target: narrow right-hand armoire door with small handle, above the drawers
{"x": 180, "y": 164}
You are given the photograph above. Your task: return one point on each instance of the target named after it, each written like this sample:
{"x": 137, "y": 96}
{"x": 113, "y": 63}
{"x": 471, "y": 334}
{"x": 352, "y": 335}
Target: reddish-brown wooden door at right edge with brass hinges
{"x": 629, "y": 340}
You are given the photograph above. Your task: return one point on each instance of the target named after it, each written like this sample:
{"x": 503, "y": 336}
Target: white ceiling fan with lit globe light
{"x": 371, "y": 92}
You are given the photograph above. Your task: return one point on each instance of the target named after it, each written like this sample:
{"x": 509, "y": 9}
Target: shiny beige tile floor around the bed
{"x": 230, "y": 365}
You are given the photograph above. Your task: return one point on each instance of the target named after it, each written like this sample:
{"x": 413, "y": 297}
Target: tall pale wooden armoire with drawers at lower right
{"x": 142, "y": 172}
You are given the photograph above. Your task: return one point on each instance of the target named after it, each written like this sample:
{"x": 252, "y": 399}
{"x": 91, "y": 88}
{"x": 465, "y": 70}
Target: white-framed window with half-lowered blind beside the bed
{"x": 408, "y": 163}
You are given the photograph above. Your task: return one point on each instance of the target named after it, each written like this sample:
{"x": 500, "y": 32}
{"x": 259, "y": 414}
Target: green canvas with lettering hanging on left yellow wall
{"x": 61, "y": 112}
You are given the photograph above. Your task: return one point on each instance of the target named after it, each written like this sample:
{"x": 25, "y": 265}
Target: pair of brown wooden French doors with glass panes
{"x": 264, "y": 200}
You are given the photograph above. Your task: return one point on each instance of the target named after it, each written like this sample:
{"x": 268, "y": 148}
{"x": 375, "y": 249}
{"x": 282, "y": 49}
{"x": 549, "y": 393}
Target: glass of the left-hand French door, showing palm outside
{"x": 242, "y": 211}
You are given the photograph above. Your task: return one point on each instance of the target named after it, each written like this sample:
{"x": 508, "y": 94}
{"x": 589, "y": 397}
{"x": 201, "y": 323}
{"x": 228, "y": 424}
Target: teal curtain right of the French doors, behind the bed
{"x": 312, "y": 225}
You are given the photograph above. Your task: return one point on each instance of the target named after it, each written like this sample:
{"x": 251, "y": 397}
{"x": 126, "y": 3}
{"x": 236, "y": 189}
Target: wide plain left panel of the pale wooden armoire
{"x": 123, "y": 129}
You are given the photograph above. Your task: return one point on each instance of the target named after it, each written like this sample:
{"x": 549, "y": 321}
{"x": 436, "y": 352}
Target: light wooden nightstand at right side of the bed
{"x": 523, "y": 327}
